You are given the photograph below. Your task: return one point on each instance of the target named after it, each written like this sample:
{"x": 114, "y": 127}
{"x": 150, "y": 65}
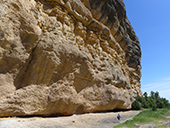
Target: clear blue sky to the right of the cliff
{"x": 151, "y": 22}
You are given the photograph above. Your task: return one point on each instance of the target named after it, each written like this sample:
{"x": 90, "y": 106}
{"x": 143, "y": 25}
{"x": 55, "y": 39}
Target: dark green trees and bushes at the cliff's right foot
{"x": 153, "y": 101}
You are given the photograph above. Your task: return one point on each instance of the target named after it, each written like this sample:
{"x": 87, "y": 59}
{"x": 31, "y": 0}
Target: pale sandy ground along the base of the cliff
{"x": 91, "y": 120}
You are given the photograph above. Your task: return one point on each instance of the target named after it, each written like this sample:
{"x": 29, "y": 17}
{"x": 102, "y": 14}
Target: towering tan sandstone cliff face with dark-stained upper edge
{"x": 66, "y": 56}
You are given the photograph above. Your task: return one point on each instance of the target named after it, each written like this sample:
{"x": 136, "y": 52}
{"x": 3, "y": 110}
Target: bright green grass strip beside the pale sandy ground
{"x": 146, "y": 117}
